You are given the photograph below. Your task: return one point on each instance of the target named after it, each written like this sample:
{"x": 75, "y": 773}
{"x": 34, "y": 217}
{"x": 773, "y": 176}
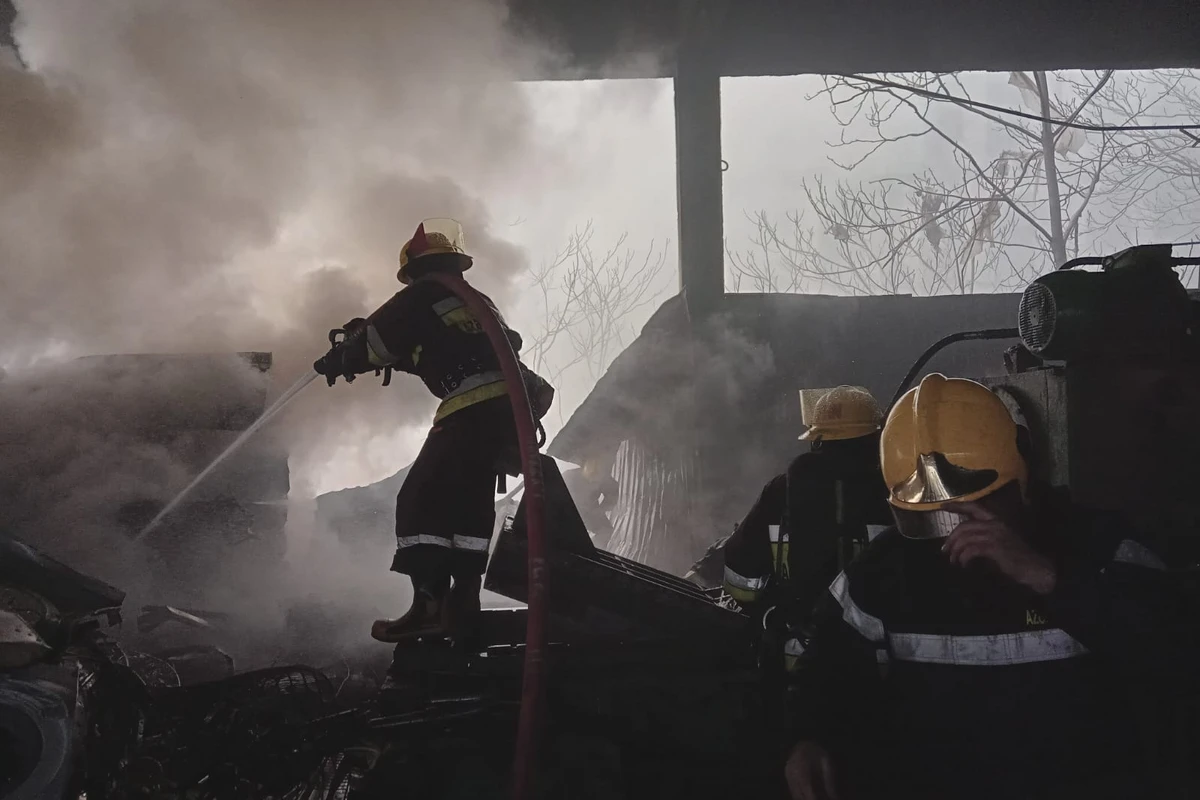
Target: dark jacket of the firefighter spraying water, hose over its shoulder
{"x": 428, "y": 332}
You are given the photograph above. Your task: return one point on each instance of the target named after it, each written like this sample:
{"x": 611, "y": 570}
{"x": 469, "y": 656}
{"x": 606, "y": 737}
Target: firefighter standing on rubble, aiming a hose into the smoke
{"x": 446, "y": 508}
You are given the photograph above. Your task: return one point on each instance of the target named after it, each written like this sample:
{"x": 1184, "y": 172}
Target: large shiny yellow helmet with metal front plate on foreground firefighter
{"x": 949, "y": 441}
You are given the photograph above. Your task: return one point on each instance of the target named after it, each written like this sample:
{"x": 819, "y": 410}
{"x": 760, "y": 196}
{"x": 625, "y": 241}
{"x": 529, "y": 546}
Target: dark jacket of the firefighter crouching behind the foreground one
{"x": 790, "y": 546}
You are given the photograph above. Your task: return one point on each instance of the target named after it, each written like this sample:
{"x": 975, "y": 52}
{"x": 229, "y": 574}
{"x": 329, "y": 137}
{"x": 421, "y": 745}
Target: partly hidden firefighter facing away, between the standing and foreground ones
{"x": 812, "y": 520}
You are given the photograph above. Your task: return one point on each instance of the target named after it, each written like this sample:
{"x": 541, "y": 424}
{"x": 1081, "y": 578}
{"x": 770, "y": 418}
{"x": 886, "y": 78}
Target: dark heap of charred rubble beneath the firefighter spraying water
{"x": 632, "y": 691}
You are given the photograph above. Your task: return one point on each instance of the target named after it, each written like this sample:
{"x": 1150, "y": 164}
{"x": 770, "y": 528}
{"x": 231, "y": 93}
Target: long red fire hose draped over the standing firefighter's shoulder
{"x": 535, "y": 497}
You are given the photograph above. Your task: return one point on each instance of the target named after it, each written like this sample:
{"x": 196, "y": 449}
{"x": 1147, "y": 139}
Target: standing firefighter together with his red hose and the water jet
{"x": 485, "y": 428}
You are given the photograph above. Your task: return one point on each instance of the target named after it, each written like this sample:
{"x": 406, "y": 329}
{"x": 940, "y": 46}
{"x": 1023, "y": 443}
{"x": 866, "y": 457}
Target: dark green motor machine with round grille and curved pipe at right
{"x": 1108, "y": 377}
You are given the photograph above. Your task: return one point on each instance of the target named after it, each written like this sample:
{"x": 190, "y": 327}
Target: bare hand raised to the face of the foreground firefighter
{"x": 983, "y": 536}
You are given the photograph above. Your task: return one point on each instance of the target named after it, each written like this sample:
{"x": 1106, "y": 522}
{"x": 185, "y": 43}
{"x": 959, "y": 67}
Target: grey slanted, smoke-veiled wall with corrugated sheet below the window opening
{"x": 692, "y": 422}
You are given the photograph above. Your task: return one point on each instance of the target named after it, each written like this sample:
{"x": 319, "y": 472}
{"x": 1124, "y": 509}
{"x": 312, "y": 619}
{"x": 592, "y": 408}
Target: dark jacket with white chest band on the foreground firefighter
{"x": 931, "y": 681}
